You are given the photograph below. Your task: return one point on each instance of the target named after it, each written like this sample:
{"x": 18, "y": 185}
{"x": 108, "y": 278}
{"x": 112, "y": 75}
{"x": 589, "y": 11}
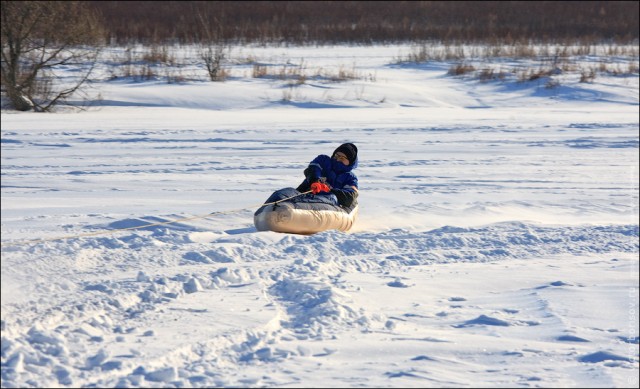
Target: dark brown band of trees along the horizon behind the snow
{"x": 367, "y": 22}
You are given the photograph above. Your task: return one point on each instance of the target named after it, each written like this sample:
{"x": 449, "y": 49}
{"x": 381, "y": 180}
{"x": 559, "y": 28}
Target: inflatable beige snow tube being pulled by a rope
{"x": 303, "y": 214}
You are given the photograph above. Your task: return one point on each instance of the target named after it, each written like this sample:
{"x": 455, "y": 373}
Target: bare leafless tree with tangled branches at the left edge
{"x": 38, "y": 39}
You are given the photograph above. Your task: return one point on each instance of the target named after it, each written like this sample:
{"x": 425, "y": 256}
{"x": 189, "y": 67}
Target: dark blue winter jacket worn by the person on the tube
{"x": 341, "y": 179}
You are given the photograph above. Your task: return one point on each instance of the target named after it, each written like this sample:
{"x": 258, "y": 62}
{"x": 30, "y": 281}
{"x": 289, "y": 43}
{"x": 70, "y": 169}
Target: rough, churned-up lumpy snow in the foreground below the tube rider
{"x": 303, "y": 290}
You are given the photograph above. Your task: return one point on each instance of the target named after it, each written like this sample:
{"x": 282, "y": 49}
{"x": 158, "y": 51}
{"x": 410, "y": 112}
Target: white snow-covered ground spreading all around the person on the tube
{"x": 496, "y": 246}
